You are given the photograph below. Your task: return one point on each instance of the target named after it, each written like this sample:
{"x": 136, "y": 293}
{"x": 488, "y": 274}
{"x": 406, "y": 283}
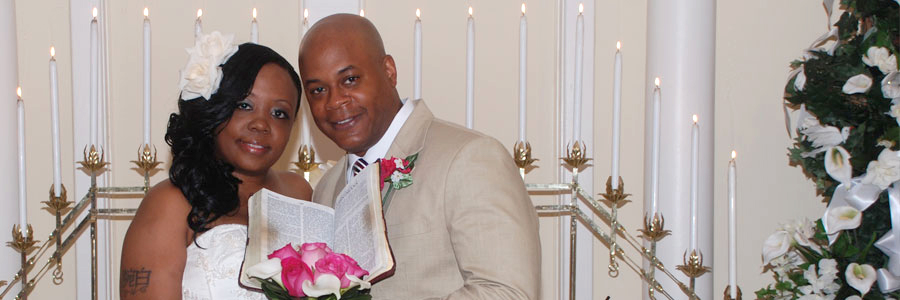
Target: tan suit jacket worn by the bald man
{"x": 465, "y": 228}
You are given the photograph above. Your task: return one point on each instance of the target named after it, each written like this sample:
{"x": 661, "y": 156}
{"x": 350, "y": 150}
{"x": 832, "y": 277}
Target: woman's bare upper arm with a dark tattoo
{"x": 154, "y": 252}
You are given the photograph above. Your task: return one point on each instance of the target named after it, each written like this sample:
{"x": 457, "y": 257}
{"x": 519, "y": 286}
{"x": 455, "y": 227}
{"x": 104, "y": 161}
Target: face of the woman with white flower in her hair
{"x": 258, "y": 131}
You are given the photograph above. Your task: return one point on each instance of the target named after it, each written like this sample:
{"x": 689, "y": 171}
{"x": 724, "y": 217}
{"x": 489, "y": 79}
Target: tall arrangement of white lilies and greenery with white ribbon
{"x": 845, "y": 96}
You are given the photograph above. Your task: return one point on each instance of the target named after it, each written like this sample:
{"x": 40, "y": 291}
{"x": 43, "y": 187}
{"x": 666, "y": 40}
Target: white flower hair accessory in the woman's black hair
{"x": 203, "y": 72}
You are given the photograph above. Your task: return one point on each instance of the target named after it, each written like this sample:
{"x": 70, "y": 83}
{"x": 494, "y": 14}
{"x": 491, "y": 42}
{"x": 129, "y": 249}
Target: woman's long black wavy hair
{"x": 205, "y": 179}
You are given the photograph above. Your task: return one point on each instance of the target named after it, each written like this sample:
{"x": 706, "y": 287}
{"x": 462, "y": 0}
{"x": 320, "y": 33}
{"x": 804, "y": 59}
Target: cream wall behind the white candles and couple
{"x": 754, "y": 45}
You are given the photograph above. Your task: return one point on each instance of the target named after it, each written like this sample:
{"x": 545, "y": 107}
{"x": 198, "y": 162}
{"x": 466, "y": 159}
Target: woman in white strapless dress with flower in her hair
{"x": 235, "y": 115}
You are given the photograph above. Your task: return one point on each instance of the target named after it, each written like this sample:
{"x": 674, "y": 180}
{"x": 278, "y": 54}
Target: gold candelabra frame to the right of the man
{"x": 614, "y": 198}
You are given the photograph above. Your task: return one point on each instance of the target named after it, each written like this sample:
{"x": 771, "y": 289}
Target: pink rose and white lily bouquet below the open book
{"x": 313, "y": 272}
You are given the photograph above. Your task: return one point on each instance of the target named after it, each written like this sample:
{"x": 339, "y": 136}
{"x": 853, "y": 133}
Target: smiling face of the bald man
{"x": 352, "y": 94}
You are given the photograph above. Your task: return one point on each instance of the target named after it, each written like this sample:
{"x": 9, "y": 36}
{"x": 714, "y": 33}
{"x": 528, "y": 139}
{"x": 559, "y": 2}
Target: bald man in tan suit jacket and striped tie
{"x": 465, "y": 228}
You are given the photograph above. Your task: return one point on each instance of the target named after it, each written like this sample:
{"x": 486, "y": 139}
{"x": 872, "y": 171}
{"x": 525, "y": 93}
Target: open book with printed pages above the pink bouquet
{"x": 355, "y": 226}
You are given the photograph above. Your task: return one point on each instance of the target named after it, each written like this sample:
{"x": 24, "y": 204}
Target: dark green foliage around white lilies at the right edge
{"x": 863, "y": 24}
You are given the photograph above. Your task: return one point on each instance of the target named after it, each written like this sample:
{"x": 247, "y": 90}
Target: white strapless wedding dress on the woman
{"x": 212, "y": 272}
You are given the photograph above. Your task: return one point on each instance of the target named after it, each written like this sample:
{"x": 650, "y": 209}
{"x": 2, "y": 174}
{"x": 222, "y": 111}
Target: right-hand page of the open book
{"x": 359, "y": 230}
